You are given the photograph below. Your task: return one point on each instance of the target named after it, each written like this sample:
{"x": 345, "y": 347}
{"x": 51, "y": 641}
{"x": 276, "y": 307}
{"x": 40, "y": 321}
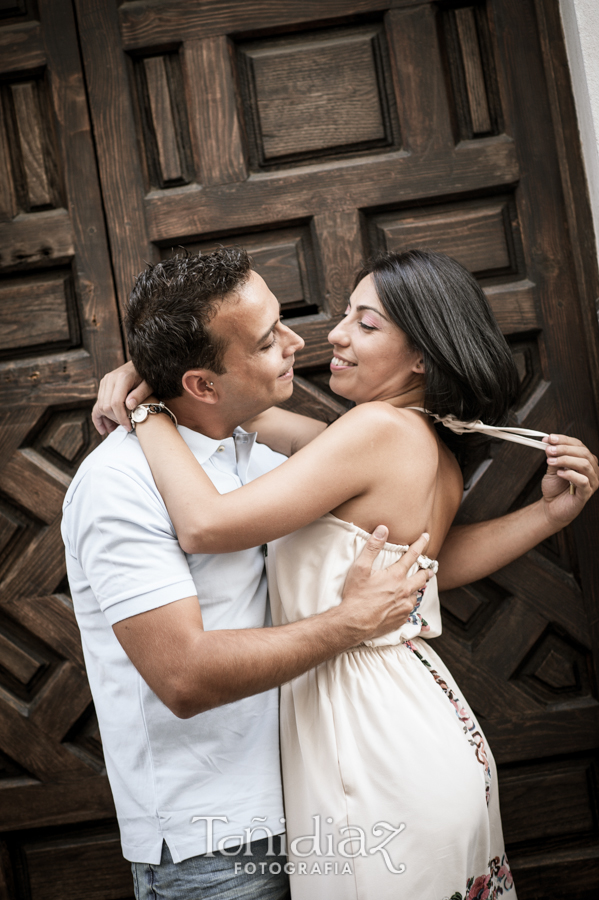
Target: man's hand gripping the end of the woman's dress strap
{"x": 569, "y": 462}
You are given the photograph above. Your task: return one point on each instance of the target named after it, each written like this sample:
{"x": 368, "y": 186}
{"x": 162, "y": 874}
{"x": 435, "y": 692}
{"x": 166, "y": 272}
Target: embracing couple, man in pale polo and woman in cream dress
{"x": 390, "y": 790}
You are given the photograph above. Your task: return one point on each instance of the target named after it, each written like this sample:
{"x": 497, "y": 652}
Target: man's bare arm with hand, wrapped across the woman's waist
{"x": 192, "y": 670}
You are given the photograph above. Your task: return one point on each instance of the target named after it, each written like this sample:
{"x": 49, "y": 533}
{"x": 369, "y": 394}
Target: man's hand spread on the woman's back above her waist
{"x": 378, "y": 602}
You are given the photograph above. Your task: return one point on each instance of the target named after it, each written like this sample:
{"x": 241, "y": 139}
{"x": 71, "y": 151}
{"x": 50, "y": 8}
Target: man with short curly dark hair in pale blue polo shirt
{"x": 185, "y": 689}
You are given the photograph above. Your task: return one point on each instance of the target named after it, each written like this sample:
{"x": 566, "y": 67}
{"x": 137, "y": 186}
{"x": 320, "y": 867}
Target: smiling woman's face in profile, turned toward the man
{"x": 372, "y": 357}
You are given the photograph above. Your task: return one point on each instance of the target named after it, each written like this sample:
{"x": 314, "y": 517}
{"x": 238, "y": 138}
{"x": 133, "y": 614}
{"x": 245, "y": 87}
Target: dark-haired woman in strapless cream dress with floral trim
{"x": 390, "y": 788}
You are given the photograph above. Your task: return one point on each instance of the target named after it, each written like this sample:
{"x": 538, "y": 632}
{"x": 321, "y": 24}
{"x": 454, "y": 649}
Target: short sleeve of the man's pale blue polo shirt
{"x": 120, "y": 533}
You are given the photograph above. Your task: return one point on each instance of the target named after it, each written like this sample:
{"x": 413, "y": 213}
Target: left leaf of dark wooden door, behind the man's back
{"x": 59, "y": 331}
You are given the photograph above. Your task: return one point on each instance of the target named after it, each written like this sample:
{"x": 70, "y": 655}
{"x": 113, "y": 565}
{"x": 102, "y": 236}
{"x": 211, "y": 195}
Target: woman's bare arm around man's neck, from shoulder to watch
{"x": 341, "y": 463}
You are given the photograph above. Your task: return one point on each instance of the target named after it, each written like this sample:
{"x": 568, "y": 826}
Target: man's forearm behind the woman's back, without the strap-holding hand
{"x": 471, "y": 552}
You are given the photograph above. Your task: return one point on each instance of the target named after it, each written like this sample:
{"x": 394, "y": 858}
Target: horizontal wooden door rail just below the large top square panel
{"x": 393, "y": 178}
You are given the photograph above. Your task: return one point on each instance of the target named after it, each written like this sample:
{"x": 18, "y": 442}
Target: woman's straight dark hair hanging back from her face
{"x": 469, "y": 369}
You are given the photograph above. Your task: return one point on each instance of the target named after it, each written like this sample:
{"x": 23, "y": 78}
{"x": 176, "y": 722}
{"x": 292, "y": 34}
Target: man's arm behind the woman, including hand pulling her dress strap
{"x": 471, "y": 552}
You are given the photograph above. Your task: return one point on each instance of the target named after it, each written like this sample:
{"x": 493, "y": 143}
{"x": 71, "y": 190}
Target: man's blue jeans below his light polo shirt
{"x": 217, "y": 877}
